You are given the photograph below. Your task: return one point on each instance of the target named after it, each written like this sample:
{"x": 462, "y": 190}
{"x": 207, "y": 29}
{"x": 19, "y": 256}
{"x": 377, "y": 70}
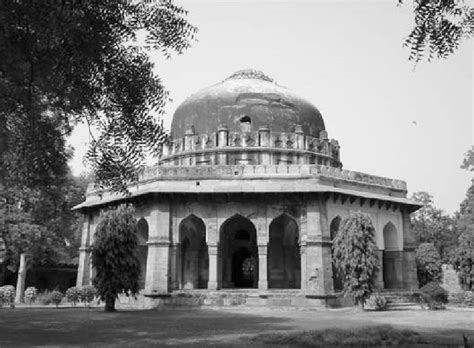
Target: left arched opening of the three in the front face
{"x": 194, "y": 257}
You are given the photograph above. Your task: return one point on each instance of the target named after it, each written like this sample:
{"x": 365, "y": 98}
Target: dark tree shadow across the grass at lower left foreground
{"x": 79, "y": 326}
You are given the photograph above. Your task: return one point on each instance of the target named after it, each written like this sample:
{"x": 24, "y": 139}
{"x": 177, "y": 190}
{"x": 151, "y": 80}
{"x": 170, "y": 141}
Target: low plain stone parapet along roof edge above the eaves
{"x": 254, "y": 171}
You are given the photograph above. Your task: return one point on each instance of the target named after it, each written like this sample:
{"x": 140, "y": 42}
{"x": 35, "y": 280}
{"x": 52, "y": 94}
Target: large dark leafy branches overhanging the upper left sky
{"x": 63, "y": 63}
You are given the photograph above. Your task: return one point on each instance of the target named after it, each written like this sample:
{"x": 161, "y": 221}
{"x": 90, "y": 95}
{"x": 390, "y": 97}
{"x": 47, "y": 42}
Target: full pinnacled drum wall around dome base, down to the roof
{"x": 224, "y": 147}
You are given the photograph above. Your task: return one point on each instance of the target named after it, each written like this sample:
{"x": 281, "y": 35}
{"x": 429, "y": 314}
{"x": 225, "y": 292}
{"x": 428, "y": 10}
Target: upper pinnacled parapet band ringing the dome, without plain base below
{"x": 263, "y": 140}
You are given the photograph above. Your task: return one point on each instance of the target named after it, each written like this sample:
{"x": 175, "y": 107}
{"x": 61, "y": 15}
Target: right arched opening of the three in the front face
{"x": 284, "y": 260}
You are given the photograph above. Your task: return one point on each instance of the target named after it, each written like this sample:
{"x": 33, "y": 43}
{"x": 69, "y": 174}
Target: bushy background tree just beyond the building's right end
{"x": 432, "y": 225}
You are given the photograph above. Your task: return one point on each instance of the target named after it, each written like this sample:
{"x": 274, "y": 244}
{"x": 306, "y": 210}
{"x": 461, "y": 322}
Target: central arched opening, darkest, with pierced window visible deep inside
{"x": 238, "y": 253}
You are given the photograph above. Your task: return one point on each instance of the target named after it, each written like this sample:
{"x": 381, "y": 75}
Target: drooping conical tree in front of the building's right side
{"x": 355, "y": 254}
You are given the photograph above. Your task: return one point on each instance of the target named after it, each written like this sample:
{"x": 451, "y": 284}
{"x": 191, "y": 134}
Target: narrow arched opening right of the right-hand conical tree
{"x": 390, "y": 256}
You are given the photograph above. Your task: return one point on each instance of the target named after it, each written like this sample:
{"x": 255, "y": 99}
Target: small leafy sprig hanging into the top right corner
{"x": 440, "y": 26}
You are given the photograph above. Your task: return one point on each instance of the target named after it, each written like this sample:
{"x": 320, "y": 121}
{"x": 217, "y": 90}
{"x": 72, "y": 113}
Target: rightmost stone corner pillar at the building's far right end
{"x": 410, "y": 279}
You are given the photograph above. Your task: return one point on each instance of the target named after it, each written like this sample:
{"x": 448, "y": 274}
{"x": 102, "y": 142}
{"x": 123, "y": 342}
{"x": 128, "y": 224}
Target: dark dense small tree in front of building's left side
{"x": 115, "y": 255}
